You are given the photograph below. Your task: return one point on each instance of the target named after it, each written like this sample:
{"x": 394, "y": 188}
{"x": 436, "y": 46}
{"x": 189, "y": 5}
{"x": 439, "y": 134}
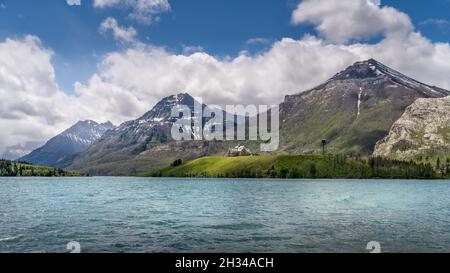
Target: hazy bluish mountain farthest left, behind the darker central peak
{"x": 59, "y": 150}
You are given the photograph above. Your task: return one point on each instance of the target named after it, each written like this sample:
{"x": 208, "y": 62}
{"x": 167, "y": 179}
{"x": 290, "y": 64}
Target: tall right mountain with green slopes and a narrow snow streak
{"x": 351, "y": 111}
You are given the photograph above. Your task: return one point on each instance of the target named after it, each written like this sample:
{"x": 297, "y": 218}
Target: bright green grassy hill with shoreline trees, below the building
{"x": 299, "y": 166}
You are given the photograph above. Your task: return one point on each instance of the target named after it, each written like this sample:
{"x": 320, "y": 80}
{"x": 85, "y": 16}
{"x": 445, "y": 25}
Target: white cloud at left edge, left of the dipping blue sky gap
{"x": 32, "y": 106}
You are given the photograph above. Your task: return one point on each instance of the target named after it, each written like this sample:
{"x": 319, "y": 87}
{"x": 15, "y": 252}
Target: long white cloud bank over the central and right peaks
{"x": 148, "y": 73}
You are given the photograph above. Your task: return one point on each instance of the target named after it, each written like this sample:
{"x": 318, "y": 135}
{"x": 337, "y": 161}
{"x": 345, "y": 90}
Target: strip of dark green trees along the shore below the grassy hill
{"x": 328, "y": 166}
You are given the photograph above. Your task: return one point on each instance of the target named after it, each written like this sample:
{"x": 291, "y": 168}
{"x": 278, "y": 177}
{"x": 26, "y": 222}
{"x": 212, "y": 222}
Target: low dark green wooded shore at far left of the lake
{"x": 11, "y": 168}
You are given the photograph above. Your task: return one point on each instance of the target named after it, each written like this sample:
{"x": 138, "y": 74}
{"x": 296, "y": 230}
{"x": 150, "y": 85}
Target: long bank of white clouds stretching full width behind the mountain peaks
{"x": 130, "y": 81}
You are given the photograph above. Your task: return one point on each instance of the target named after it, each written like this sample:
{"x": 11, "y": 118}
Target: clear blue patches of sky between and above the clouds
{"x": 220, "y": 27}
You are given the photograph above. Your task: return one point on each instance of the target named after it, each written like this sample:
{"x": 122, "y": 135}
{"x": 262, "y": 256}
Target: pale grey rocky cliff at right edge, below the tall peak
{"x": 423, "y": 130}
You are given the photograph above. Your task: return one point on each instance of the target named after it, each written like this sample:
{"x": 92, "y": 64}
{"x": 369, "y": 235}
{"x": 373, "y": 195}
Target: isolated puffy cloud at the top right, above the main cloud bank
{"x": 341, "y": 21}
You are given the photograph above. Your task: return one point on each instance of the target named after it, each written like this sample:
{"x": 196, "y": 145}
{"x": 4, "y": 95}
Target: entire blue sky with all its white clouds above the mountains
{"x": 111, "y": 60}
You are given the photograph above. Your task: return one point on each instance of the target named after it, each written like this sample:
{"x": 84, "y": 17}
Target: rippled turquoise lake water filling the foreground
{"x": 107, "y": 214}
